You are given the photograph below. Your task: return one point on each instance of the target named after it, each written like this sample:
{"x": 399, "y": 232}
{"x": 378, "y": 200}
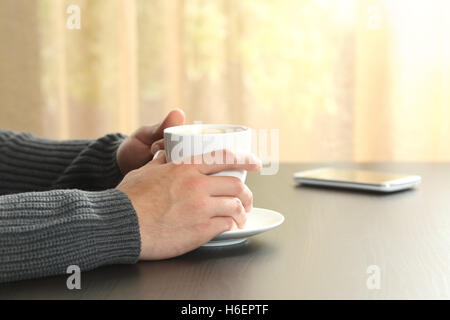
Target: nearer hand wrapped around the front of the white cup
{"x": 180, "y": 207}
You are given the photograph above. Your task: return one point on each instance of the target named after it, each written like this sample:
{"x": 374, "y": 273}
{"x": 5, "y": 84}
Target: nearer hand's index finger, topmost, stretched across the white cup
{"x": 221, "y": 160}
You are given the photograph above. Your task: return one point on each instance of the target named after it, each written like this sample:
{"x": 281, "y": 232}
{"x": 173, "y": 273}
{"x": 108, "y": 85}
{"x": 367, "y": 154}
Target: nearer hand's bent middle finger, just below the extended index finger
{"x": 232, "y": 187}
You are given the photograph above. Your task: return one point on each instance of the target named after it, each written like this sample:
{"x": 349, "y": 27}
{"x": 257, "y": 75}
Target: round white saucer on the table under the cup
{"x": 258, "y": 220}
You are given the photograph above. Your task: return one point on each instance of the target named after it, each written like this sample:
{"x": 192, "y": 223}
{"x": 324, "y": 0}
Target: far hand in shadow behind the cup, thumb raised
{"x": 139, "y": 148}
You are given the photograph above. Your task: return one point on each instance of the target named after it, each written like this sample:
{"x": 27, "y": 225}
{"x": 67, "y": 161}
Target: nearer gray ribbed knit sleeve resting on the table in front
{"x": 42, "y": 233}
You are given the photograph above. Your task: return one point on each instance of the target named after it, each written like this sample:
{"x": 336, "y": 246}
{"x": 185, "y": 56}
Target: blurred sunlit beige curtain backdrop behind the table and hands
{"x": 343, "y": 80}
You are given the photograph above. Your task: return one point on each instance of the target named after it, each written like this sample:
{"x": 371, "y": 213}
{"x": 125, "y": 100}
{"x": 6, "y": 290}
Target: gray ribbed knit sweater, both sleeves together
{"x": 58, "y": 206}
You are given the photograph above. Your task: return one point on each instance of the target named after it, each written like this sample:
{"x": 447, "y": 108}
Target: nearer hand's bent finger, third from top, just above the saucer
{"x": 228, "y": 206}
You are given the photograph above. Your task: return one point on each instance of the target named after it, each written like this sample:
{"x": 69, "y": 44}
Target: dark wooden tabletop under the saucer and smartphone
{"x": 322, "y": 251}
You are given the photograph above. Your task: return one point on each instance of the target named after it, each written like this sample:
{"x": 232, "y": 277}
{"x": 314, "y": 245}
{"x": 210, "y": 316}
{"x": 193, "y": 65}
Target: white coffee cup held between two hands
{"x": 183, "y": 142}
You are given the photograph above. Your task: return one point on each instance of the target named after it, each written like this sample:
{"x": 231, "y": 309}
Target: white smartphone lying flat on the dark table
{"x": 357, "y": 179}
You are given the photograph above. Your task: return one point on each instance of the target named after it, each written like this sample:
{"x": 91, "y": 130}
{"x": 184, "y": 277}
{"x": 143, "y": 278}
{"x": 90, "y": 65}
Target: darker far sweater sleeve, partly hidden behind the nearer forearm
{"x": 30, "y": 163}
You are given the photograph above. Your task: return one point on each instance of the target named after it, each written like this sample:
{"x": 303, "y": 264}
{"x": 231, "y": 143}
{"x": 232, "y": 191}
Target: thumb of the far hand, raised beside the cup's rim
{"x": 149, "y": 134}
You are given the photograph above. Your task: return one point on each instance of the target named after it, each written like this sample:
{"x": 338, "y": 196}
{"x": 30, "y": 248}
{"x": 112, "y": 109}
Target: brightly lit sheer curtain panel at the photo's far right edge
{"x": 402, "y": 87}
